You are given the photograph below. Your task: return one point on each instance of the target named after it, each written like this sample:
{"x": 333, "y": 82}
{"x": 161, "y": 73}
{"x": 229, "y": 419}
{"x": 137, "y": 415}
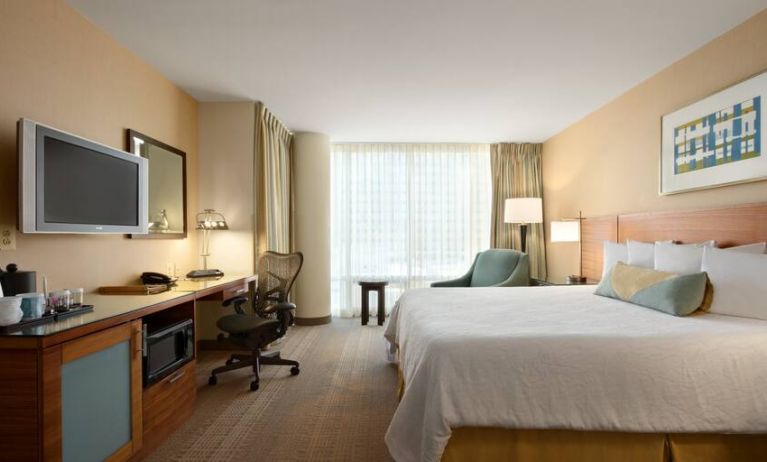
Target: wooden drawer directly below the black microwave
{"x": 167, "y": 404}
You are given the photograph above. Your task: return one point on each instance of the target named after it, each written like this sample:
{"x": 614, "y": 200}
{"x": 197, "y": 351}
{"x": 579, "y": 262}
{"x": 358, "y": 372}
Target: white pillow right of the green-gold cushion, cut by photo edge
{"x": 738, "y": 280}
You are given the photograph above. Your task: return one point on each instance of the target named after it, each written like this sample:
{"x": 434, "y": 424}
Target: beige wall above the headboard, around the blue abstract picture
{"x": 608, "y": 162}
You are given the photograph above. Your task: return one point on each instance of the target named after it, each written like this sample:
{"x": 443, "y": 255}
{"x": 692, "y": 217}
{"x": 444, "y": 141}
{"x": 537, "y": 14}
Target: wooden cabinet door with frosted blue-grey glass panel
{"x": 92, "y": 396}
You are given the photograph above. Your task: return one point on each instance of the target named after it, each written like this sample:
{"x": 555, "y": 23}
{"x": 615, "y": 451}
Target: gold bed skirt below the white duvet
{"x": 472, "y": 444}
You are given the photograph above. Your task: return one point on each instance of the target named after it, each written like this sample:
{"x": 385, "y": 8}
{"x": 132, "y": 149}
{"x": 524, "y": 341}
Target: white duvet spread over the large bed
{"x": 561, "y": 357}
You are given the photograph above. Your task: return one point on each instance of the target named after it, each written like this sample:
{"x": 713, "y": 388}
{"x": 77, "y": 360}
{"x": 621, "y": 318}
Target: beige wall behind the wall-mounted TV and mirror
{"x": 59, "y": 69}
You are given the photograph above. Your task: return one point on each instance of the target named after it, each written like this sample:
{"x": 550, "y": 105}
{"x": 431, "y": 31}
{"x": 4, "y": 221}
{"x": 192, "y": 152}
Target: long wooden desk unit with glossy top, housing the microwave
{"x": 40, "y": 368}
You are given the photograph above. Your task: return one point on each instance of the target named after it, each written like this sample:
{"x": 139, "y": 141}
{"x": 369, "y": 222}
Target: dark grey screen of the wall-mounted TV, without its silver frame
{"x": 83, "y": 186}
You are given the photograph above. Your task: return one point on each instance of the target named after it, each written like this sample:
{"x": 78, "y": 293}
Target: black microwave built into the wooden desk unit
{"x": 166, "y": 348}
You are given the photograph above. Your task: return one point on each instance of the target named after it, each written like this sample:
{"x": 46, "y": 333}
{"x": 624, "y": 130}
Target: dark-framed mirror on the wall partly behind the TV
{"x": 167, "y": 186}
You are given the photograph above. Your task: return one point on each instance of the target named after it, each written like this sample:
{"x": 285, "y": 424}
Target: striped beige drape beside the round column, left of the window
{"x": 273, "y": 179}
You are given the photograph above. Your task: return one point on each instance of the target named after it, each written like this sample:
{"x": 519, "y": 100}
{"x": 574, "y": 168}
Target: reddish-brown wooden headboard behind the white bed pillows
{"x": 728, "y": 226}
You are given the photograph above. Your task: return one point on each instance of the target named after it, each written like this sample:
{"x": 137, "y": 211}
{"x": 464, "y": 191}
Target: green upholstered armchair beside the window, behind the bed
{"x": 494, "y": 268}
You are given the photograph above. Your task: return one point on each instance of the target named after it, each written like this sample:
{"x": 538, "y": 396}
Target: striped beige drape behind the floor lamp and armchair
{"x": 516, "y": 172}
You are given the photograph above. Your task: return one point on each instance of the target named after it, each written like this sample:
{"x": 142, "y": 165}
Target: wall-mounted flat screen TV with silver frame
{"x": 68, "y": 184}
